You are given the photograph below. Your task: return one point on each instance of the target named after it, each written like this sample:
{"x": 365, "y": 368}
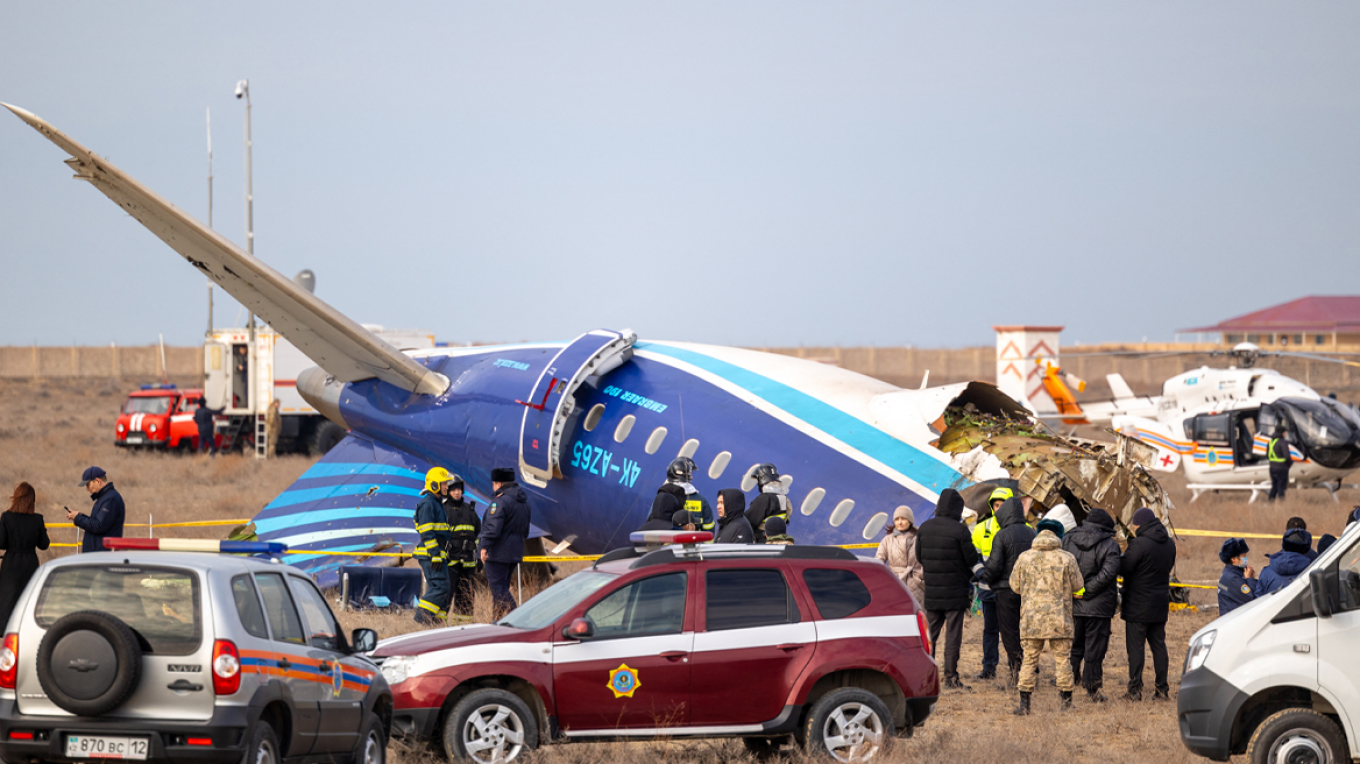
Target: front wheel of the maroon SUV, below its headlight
{"x": 490, "y": 727}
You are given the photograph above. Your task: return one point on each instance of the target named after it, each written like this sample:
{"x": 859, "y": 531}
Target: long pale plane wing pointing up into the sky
{"x": 342, "y": 347}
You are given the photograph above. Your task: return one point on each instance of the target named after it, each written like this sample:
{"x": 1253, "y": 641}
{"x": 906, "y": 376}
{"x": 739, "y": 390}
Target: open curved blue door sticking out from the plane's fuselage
{"x": 553, "y": 398}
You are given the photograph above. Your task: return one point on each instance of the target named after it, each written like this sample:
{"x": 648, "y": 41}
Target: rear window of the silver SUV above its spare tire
{"x": 163, "y": 606}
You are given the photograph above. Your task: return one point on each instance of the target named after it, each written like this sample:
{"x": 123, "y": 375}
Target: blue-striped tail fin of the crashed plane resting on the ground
{"x": 360, "y": 498}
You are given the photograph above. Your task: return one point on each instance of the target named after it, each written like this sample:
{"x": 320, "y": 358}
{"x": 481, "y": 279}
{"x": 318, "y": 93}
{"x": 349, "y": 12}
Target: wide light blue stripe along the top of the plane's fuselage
{"x": 857, "y": 434}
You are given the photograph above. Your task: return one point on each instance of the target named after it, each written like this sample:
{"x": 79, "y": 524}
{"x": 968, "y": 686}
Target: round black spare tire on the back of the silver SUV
{"x": 89, "y": 663}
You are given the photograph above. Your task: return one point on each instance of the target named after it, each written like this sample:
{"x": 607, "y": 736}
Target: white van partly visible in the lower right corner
{"x": 1279, "y": 679}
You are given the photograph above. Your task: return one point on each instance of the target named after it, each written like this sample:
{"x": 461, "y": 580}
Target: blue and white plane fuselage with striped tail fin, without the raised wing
{"x": 852, "y": 449}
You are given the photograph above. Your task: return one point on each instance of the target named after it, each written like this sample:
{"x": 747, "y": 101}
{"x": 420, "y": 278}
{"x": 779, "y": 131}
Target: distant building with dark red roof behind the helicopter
{"x": 1313, "y": 323}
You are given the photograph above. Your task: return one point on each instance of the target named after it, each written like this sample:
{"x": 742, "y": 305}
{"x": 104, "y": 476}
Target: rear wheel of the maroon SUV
{"x": 848, "y": 725}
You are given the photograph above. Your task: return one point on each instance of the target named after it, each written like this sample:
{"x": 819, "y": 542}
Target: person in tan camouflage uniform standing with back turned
{"x": 1048, "y": 580}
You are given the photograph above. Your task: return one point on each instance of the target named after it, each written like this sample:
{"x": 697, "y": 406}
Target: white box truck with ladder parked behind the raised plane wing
{"x": 244, "y": 384}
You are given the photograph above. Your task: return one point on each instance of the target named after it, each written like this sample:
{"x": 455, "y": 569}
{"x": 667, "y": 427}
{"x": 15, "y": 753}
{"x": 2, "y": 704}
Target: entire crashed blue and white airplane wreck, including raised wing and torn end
{"x": 592, "y": 423}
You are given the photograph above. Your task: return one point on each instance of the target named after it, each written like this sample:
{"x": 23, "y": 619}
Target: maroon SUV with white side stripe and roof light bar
{"x": 758, "y": 642}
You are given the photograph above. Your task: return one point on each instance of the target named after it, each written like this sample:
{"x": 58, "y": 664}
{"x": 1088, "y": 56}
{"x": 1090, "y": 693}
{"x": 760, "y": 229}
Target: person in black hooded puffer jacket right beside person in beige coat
{"x": 950, "y": 562}
